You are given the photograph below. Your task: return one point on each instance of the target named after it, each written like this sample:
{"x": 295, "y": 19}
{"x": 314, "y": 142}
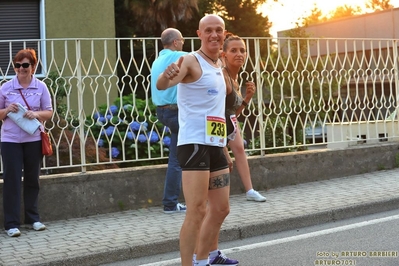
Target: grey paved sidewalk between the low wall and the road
{"x": 125, "y": 235}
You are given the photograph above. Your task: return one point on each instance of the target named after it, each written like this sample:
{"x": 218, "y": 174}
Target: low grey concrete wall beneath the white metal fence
{"x": 80, "y": 195}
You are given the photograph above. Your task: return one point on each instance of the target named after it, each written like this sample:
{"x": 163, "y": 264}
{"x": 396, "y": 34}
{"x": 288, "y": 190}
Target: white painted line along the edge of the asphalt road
{"x": 289, "y": 239}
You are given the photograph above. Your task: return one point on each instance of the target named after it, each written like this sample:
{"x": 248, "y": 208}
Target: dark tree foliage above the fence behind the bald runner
{"x": 142, "y": 18}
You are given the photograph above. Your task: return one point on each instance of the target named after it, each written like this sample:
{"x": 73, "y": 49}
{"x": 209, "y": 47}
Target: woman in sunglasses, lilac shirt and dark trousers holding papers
{"x": 21, "y": 150}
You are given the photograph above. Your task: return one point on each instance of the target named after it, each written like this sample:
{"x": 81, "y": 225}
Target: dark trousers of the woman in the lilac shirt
{"x": 18, "y": 156}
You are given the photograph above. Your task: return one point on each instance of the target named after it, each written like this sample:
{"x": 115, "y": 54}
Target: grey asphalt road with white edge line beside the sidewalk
{"x": 366, "y": 241}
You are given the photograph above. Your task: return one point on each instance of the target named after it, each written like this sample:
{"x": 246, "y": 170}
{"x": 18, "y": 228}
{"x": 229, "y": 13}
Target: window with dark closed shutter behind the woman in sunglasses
{"x": 19, "y": 20}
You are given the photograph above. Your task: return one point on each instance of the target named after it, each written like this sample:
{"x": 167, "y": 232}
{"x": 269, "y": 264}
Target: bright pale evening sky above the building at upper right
{"x": 285, "y": 13}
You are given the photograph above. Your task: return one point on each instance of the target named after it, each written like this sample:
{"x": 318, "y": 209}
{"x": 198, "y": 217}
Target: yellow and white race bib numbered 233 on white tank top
{"x": 215, "y": 131}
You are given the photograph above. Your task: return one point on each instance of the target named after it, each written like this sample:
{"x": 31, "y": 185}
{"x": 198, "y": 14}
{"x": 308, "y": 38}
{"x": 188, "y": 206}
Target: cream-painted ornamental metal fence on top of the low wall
{"x": 311, "y": 93}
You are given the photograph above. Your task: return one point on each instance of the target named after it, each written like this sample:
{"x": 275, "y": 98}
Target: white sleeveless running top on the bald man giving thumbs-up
{"x": 202, "y": 107}
